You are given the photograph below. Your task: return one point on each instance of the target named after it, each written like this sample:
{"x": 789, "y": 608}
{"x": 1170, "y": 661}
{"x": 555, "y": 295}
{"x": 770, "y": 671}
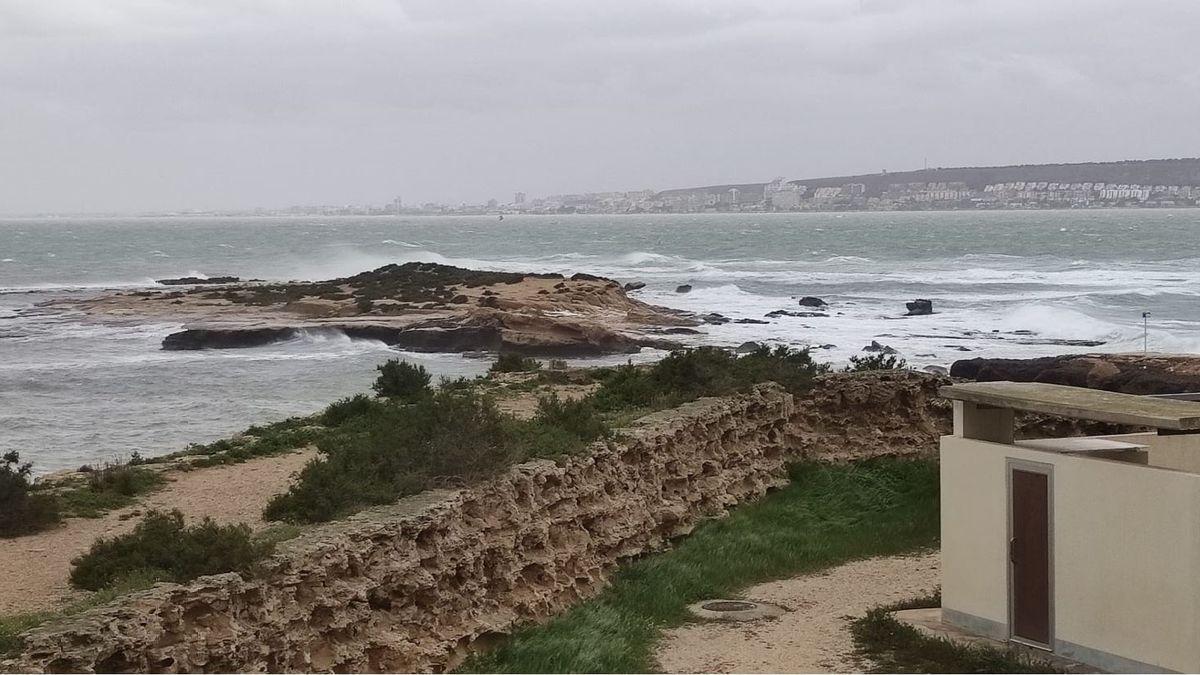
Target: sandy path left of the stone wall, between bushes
{"x": 34, "y": 570}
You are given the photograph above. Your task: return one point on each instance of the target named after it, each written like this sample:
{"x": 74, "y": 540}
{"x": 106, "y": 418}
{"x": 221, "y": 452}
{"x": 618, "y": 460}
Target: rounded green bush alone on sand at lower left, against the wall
{"x": 163, "y": 545}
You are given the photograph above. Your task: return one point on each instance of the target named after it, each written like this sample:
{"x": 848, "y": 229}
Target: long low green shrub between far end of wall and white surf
{"x": 687, "y": 375}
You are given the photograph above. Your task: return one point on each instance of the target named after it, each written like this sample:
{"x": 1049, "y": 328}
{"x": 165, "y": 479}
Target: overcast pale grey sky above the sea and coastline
{"x": 163, "y": 105}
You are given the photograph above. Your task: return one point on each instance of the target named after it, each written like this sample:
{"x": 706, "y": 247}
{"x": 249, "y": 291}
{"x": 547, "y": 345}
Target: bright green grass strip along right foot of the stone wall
{"x": 830, "y": 515}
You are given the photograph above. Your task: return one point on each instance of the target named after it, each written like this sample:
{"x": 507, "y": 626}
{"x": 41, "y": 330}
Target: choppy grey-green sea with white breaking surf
{"x": 1004, "y": 284}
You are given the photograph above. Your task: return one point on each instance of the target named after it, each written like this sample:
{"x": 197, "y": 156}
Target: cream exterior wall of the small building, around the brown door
{"x": 1126, "y": 580}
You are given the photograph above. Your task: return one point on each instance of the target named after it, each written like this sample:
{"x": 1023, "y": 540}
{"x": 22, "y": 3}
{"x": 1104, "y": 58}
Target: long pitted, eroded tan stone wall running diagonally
{"x": 410, "y": 588}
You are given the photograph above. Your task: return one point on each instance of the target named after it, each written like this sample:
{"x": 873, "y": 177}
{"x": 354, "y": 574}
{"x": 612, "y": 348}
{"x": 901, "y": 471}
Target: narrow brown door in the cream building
{"x": 1030, "y": 557}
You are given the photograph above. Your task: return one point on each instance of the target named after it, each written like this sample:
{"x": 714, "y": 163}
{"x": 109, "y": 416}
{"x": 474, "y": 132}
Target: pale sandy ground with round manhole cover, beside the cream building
{"x": 814, "y": 636}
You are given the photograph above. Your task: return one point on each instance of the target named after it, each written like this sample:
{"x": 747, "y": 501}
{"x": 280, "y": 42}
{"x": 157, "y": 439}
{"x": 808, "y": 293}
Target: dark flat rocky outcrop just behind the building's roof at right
{"x": 1130, "y": 374}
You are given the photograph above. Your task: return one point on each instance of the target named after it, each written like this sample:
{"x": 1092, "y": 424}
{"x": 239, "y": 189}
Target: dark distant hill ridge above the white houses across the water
{"x": 1144, "y": 172}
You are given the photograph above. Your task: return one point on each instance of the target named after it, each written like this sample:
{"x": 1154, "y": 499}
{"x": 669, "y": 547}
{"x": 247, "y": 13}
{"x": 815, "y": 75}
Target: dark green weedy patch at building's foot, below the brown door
{"x": 897, "y": 648}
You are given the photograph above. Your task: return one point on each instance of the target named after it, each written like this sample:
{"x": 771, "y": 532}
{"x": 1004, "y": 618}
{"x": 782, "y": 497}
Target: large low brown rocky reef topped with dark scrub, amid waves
{"x": 419, "y": 307}
